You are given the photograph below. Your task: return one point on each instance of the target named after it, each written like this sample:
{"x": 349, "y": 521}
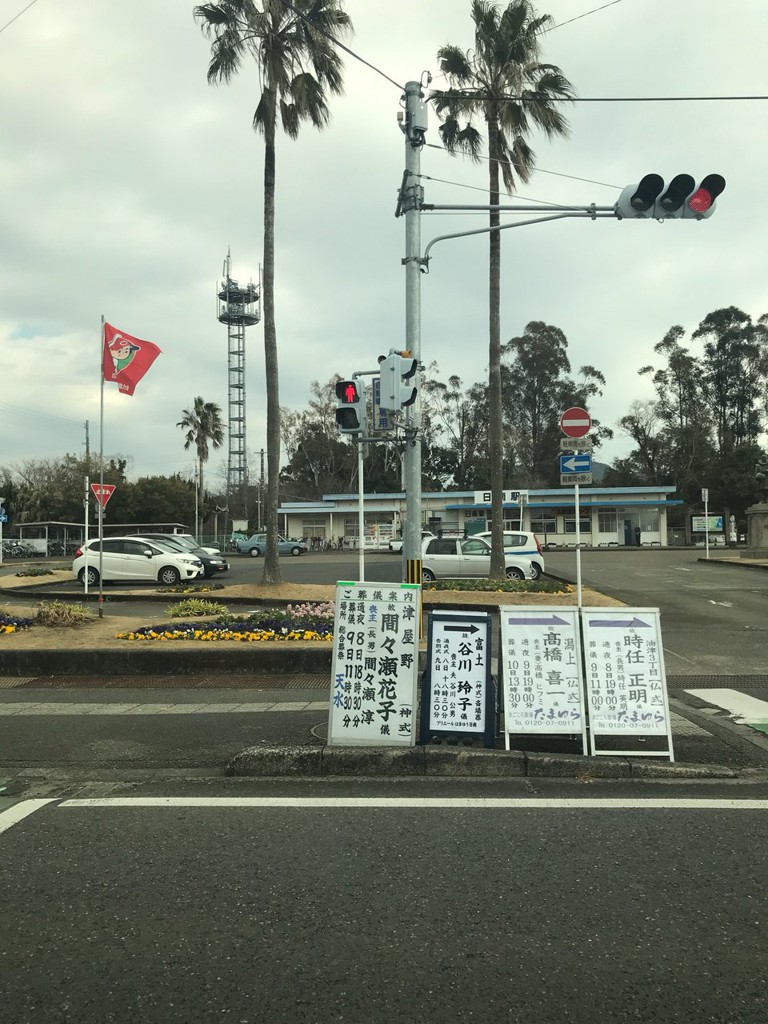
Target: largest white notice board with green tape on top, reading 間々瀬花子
{"x": 375, "y": 665}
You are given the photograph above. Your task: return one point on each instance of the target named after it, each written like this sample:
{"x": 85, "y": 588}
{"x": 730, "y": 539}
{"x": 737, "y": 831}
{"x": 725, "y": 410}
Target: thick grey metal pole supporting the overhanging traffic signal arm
{"x": 415, "y": 130}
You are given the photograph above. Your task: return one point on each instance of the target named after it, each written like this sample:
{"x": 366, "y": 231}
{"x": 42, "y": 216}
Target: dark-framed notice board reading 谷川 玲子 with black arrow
{"x": 458, "y": 696}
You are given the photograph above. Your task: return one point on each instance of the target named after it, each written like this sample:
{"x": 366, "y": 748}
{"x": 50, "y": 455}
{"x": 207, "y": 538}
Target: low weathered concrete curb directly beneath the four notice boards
{"x": 267, "y": 762}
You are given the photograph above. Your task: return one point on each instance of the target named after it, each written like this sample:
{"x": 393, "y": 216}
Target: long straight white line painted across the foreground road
{"x": 520, "y": 804}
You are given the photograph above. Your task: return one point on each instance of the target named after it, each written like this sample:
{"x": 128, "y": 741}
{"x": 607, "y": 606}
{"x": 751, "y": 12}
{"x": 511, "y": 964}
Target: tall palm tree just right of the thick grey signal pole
{"x": 503, "y": 83}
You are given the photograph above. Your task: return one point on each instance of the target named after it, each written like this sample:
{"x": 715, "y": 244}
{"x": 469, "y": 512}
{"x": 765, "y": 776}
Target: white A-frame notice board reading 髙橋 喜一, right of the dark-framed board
{"x": 541, "y": 666}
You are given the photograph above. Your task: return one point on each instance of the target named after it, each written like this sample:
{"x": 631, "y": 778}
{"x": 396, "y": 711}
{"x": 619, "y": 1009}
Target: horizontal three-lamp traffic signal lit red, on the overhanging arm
{"x": 682, "y": 198}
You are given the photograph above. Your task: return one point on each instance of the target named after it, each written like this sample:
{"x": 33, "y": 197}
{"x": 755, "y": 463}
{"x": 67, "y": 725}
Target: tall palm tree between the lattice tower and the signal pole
{"x": 294, "y": 48}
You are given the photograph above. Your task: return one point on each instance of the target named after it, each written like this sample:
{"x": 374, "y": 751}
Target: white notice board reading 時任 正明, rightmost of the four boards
{"x": 626, "y": 681}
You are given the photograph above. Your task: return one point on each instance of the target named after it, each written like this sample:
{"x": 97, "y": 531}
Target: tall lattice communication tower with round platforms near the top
{"x": 239, "y": 309}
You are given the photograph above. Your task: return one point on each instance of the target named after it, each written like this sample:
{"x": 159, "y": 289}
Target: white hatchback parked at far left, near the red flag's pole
{"x": 126, "y": 559}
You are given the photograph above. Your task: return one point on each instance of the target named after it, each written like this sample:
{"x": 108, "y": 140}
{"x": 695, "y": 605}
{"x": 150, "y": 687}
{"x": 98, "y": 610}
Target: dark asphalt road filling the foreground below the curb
{"x": 315, "y": 911}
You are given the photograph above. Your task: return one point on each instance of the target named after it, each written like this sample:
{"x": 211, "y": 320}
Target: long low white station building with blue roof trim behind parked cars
{"x": 609, "y": 517}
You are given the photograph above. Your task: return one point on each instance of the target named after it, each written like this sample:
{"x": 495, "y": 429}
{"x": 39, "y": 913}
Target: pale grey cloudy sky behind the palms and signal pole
{"x": 125, "y": 178}
